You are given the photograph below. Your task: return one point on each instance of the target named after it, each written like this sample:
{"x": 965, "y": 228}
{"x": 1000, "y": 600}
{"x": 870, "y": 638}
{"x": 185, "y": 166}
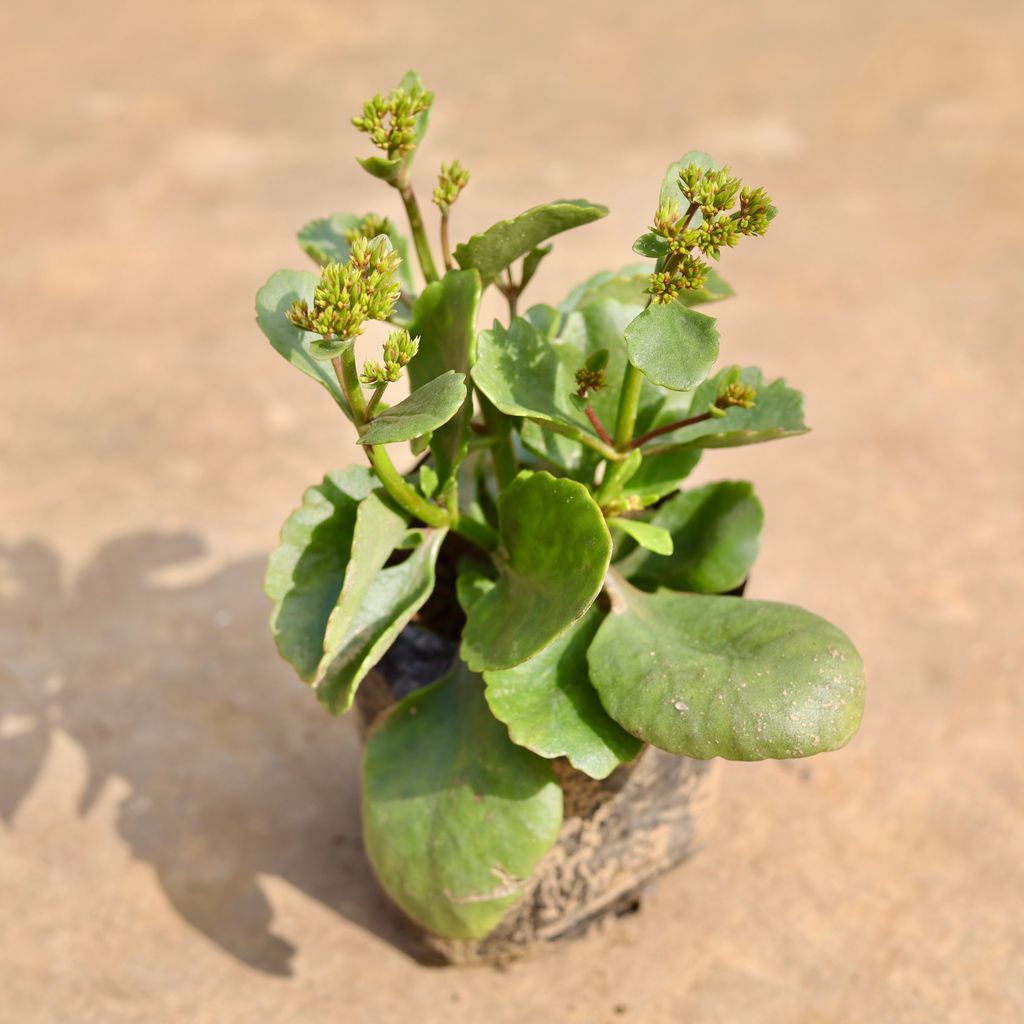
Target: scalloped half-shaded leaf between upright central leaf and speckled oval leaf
{"x": 551, "y": 708}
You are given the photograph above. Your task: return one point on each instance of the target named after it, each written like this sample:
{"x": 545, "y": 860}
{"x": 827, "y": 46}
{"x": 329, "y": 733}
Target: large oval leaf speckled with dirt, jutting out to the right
{"x": 709, "y": 677}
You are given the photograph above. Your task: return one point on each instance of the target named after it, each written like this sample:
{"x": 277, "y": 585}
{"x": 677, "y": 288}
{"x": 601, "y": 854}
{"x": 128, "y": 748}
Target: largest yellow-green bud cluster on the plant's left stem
{"x": 350, "y": 294}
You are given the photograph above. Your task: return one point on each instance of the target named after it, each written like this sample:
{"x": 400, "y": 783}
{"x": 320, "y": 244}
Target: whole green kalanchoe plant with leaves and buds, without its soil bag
{"x": 590, "y": 598}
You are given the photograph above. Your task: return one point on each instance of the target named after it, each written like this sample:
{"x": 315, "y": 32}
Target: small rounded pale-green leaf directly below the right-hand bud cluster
{"x": 673, "y": 346}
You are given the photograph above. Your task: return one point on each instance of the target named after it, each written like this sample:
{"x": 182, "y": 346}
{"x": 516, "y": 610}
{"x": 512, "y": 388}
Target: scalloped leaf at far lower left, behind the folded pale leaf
{"x": 307, "y": 571}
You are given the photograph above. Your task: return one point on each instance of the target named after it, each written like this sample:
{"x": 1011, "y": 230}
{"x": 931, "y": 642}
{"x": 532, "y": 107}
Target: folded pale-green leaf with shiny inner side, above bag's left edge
{"x": 373, "y": 611}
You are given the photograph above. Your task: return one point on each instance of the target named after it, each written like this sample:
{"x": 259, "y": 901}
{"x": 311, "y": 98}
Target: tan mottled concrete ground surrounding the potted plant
{"x": 180, "y": 839}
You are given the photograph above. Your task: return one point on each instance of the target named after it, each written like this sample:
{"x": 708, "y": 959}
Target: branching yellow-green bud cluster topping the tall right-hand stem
{"x": 713, "y": 194}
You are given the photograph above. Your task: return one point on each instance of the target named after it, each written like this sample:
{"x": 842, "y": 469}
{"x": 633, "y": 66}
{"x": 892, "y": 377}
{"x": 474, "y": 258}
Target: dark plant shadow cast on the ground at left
{"x": 166, "y": 677}
